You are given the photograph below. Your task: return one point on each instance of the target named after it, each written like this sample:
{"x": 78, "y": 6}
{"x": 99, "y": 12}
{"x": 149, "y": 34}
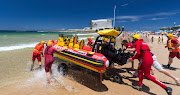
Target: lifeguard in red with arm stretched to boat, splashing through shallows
{"x": 49, "y": 59}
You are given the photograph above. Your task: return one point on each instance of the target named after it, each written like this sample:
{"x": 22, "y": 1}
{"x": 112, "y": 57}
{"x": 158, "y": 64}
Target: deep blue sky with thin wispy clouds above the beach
{"x": 59, "y": 15}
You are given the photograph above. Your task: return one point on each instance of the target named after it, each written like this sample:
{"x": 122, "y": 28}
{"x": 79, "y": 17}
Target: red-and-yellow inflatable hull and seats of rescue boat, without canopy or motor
{"x": 81, "y": 55}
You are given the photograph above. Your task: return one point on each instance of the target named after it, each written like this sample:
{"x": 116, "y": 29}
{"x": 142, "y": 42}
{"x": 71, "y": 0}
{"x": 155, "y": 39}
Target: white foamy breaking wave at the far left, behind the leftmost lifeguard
{"x": 19, "y": 46}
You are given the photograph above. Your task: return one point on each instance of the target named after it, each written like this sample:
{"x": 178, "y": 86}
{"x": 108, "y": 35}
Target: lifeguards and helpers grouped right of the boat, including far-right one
{"x": 148, "y": 59}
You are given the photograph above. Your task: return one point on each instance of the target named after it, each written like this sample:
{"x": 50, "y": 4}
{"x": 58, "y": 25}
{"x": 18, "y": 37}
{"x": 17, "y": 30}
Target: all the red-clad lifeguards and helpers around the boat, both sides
{"x": 139, "y": 50}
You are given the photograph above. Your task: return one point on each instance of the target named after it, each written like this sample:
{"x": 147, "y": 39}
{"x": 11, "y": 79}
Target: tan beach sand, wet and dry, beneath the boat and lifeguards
{"x": 16, "y": 79}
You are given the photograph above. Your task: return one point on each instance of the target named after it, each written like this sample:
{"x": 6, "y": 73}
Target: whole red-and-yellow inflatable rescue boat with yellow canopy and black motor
{"x": 90, "y": 58}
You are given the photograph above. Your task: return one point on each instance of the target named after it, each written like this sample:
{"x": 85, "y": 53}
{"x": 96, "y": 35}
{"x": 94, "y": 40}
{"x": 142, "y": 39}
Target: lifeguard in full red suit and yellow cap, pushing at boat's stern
{"x": 143, "y": 51}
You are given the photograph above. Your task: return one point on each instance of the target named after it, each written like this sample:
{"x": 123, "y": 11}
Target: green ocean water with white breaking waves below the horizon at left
{"x": 11, "y": 40}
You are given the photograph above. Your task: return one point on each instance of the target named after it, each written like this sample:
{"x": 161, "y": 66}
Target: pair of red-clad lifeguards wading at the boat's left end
{"x": 48, "y": 54}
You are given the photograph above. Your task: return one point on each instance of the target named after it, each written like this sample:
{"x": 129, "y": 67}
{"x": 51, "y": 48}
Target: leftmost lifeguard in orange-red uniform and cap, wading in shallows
{"x": 38, "y": 51}
